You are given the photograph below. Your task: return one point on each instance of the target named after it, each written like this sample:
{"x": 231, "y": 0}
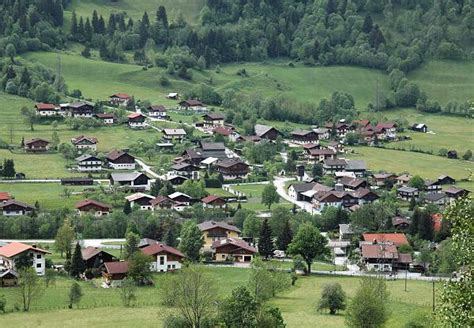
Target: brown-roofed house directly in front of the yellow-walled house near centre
{"x": 232, "y": 249}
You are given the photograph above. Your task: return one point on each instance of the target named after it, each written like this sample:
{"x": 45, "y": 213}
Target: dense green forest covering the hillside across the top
{"x": 391, "y": 35}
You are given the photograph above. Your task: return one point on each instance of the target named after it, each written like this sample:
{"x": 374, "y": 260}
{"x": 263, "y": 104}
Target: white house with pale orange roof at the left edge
{"x": 11, "y": 251}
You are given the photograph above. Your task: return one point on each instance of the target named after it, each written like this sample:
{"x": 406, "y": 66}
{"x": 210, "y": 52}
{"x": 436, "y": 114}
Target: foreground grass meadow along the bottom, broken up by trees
{"x": 102, "y": 308}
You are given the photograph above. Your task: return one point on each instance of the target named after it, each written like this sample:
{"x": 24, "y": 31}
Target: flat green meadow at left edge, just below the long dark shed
{"x": 48, "y": 195}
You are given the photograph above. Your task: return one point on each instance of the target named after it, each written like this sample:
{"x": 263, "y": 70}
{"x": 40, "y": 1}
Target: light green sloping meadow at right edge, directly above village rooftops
{"x": 427, "y": 166}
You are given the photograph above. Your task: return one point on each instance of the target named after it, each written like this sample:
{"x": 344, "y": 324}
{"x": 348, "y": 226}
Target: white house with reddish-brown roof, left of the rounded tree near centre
{"x": 165, "y": 258}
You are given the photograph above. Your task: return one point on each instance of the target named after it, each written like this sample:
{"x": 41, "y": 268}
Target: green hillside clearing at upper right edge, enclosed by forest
{"x": 445, "y": 80}
